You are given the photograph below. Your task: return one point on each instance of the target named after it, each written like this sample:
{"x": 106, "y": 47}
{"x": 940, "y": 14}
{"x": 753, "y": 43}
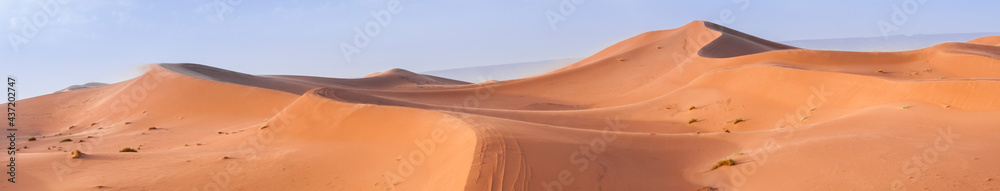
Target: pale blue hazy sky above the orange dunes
{"x": 52, "y": 44}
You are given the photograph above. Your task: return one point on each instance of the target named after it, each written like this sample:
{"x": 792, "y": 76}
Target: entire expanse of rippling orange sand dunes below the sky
{"x": 653, "y": 112}
